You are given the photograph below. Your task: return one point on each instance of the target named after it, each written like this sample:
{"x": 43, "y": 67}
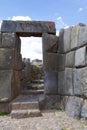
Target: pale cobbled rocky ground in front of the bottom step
{"x": 50, "y": 120}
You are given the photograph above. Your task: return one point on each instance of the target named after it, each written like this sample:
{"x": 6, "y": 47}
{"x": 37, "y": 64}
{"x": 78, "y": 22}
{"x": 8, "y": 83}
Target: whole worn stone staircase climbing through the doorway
{"x": 29, "y": 102}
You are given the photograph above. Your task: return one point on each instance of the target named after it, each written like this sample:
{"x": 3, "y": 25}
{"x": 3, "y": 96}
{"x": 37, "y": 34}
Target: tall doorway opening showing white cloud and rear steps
{"x": 32, "y": 58}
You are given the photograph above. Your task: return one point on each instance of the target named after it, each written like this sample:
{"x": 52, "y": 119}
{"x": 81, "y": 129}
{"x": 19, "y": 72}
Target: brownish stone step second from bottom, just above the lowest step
{"x": 25, "y": 105}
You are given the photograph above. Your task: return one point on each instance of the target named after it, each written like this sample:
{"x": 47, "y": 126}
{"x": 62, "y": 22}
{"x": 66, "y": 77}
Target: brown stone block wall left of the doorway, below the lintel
{"x": 10, "y": 66}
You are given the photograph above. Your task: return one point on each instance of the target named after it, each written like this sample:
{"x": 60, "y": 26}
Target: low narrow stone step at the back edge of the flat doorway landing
{"x": 35, "y": 92}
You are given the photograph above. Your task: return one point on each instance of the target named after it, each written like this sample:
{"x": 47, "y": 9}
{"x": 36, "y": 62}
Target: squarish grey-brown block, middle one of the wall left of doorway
{"x": 6, "y": 58}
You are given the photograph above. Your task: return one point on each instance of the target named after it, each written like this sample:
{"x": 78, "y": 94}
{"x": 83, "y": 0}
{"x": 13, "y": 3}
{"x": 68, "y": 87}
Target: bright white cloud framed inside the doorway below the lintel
{"x": 31, "y": 47}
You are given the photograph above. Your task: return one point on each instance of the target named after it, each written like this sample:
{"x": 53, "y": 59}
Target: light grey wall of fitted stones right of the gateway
{"x": 72, "y": 82}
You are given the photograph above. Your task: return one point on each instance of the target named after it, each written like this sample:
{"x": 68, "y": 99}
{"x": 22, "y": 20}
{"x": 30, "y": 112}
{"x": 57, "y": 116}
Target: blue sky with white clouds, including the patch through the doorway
{"x": 63, "y": 12}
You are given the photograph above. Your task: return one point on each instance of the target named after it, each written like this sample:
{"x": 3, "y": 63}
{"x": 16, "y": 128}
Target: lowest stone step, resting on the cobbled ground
{"x": 25, "y": 113}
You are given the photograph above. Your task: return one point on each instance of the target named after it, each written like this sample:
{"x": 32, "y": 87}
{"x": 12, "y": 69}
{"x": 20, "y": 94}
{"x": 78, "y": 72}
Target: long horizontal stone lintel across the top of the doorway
{"x": 26, "y": 28}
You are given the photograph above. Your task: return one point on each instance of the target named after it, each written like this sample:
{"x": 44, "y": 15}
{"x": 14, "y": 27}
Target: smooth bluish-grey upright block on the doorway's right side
{"x": 51, "y": 82}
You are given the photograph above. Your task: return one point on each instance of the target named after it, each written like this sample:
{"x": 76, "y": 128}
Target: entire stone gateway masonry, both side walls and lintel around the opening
{"x": 64, "y": 62}
